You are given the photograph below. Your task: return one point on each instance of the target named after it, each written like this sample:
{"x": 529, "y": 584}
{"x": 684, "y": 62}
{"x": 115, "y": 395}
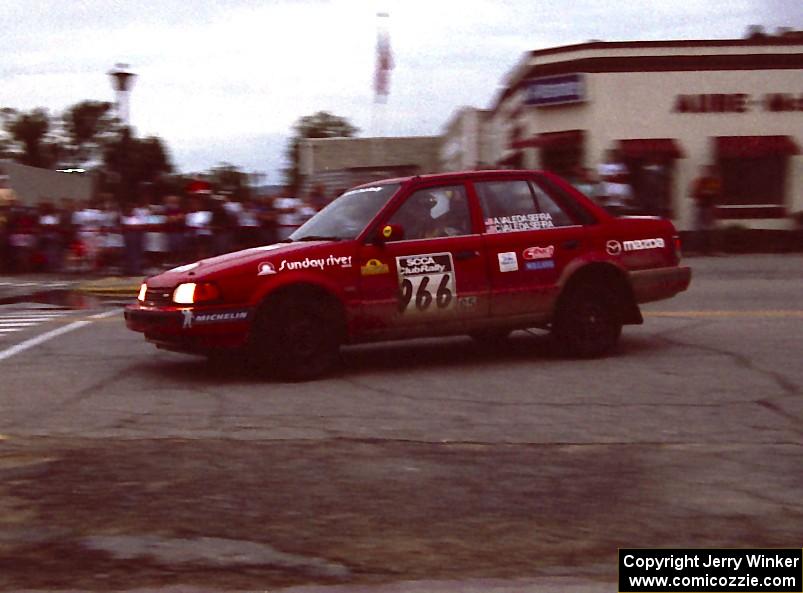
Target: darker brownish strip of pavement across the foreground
{"x": 122, "y": 514}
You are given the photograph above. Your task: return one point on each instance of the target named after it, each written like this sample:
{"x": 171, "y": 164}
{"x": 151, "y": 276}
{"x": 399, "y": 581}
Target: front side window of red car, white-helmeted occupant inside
{"x": 434, "y": 212}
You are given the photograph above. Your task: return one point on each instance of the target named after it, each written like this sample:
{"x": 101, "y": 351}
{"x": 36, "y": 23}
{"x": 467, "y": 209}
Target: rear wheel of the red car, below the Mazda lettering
{"x": 587, "y": 323}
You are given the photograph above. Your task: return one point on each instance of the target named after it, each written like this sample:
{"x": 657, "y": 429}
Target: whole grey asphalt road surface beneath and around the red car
{"x": 421, "y": 466}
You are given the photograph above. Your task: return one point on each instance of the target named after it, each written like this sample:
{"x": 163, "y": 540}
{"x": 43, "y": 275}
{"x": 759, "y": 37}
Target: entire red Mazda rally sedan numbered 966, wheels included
{"x": 480, "y": 253}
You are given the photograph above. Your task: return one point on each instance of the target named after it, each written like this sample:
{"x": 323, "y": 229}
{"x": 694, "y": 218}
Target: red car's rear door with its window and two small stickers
{"x": 530, "y": 238}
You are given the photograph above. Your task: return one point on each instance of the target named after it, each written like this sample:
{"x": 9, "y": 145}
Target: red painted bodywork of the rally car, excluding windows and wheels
{"x": 471, "y": 281}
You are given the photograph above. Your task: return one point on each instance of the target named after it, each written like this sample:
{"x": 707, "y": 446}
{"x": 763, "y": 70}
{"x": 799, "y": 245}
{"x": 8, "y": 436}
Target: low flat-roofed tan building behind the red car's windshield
{"x": 336, "y": 164}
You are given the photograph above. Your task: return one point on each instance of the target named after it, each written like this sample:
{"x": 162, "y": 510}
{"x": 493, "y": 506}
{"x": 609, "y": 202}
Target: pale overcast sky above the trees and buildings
{"x": 224, "y": 80}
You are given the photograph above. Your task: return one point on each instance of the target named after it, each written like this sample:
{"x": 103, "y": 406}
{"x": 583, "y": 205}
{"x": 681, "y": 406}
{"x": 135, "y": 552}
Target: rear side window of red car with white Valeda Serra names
{"x": 518, "y": 206}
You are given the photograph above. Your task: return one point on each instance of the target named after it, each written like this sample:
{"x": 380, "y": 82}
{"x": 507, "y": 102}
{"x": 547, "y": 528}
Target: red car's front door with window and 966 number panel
{"x": 429, "y": 273}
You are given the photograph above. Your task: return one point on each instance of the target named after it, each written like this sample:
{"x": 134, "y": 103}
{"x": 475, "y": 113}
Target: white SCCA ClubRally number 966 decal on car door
{"x": 426, "y": 282}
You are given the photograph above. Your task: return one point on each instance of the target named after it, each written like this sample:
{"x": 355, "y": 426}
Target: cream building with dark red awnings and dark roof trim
{"x": 672, "y": 105}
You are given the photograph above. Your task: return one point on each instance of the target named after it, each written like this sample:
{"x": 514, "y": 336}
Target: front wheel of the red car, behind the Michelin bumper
{"x": 297, "y": 339}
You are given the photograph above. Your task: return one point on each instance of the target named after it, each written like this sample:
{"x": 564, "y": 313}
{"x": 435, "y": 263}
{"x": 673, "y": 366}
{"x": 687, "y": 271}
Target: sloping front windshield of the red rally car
{"x": 346, "y": 216}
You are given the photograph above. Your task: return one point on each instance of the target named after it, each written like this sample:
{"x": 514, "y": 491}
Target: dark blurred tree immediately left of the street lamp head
{"x": 87, "y": 126}
